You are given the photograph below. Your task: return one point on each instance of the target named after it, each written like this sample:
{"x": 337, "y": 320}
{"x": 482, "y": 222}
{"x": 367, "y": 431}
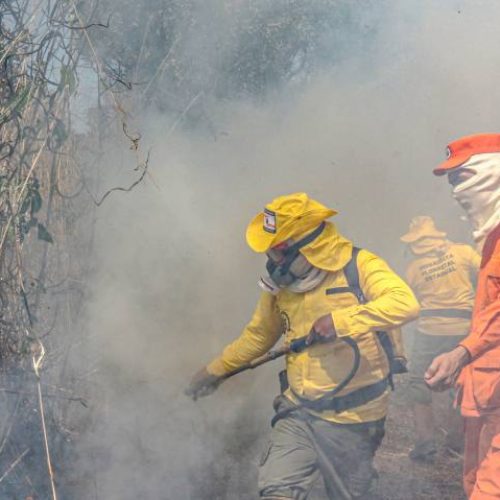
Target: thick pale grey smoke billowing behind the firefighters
{"x": 174, "y": 280}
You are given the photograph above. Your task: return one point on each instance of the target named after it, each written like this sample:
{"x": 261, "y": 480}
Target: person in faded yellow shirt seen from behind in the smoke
{"x": 442, "y": 275}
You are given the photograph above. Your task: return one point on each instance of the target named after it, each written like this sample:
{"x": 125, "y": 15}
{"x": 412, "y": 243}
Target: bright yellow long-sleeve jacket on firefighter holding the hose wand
{"x": 316, "y": 371}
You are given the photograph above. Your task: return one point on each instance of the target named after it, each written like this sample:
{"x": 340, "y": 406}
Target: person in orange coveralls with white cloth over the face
{"x": 473, "y": 169}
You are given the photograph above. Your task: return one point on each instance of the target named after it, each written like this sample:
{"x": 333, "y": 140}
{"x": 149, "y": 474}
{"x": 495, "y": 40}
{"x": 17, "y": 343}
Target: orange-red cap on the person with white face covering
{"x": 460, "y": 151}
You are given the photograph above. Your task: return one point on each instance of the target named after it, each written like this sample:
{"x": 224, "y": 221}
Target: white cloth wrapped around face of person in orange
{"x": 479, "y": 195}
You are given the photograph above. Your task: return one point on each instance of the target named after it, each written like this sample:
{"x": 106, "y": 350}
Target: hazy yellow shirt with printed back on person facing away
{"x": 442, "y": 276}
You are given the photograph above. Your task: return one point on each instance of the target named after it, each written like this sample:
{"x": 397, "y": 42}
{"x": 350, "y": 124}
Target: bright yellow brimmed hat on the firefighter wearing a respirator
{"x": 289, "y": 216}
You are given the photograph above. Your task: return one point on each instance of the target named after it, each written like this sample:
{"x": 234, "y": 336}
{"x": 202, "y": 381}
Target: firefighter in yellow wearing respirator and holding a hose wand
{"x": 330, "y": 417}
